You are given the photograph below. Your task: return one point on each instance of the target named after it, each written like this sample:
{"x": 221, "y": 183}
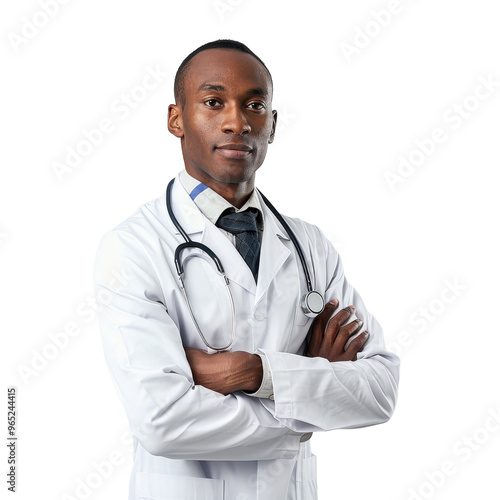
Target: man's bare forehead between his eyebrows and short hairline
{"x": 232, "y": 69}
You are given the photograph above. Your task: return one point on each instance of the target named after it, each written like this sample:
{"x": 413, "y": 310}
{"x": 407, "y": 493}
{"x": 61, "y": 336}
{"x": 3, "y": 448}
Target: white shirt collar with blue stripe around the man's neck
{"x": 212, "y": 204}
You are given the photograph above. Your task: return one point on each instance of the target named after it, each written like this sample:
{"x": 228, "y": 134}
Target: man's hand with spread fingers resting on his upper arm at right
{"x": 329, "y": 335}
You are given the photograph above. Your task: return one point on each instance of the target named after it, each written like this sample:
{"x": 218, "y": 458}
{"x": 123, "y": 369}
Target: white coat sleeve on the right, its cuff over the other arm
{"x": 312, "y": 394}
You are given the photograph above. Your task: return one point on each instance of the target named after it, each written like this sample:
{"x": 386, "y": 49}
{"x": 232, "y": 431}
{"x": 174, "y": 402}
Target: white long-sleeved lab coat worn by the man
{"x": 193, "y": 443}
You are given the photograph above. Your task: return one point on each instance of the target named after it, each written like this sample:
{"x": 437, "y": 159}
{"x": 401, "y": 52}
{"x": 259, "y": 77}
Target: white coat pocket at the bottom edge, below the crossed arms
{"x": 163, "y": 487}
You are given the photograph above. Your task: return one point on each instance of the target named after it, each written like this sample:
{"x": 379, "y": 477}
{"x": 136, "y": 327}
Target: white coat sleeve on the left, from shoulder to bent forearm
{"x": 168, "y": 414}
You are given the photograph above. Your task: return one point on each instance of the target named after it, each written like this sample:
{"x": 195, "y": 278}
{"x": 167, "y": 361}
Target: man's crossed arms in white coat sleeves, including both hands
{"x": 211, "y": 419}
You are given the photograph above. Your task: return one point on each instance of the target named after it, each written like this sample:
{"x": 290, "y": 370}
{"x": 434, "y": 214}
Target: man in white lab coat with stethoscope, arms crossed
{"x": 232, "y": 425}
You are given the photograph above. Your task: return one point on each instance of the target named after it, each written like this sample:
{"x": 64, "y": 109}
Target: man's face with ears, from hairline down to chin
{"x": 227, "y": 122}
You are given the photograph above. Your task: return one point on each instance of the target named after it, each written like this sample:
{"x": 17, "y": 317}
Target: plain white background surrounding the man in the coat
{"x": 346, "y": 120}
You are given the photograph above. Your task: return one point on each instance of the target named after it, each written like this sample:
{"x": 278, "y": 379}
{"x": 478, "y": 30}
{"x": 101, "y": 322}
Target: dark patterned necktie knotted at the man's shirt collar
{"x": 244, "y": 226}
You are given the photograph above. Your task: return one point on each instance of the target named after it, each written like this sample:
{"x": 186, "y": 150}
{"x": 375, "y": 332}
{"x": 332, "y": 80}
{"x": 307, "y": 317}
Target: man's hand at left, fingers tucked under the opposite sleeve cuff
{"x": 225, "y": 372}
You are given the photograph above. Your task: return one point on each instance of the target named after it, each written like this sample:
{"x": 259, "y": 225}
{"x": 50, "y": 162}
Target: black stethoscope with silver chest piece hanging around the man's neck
{"x": 312, "y": 302}
